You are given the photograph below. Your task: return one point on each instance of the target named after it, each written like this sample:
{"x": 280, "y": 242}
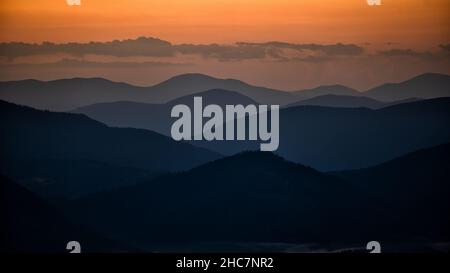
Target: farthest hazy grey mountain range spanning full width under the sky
{"x": 68, "y": 94}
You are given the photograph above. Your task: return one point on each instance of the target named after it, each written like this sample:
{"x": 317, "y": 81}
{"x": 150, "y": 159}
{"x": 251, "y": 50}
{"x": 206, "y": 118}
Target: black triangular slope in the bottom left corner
{"x": 29, "y": 224}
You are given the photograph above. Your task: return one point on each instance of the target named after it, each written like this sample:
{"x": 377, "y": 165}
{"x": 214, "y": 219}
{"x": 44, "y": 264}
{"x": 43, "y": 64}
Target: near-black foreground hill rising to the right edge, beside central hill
{"x": 416, "y": 189}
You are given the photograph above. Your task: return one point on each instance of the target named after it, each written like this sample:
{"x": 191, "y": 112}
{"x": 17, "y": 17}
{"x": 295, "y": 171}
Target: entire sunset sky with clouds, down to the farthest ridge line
{"x": 284, "y": 44}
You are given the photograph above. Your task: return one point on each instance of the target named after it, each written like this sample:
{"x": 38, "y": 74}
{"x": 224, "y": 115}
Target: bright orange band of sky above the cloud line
{"x": 422, "y": 23}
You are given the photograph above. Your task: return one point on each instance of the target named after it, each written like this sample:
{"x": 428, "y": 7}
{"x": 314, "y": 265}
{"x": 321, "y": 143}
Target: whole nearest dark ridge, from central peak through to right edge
{"x": 259, "y": 197}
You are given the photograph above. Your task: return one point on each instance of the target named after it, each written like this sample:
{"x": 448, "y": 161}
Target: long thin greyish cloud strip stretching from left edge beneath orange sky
{"x": 153, "y": 47}
